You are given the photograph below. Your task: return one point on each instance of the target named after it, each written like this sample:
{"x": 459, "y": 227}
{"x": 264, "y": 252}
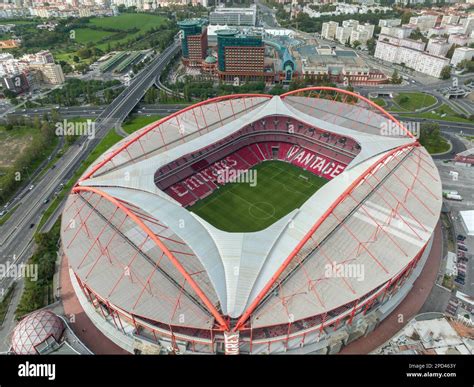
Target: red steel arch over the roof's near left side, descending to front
{"x": 222, "y": 322}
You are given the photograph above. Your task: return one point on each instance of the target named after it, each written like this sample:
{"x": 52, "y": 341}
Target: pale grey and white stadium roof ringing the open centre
{"x": 387, "y": 205}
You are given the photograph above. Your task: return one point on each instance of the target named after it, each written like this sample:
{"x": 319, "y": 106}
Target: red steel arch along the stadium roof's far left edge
{"x": 163, "y": 120}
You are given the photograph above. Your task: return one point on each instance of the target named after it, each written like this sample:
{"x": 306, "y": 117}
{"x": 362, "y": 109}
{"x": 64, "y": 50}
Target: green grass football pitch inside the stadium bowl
{"x": 238, "y": 207}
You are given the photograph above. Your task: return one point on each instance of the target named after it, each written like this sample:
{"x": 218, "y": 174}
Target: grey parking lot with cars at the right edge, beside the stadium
{"x": 463, "y": 185}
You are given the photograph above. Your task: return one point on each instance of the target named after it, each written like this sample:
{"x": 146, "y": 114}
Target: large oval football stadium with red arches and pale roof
{"x": 252, "y": 224}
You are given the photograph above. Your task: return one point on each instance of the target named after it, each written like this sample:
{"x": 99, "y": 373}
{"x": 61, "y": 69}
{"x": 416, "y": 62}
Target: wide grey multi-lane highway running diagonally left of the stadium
{"x": 17, "y": 233}
